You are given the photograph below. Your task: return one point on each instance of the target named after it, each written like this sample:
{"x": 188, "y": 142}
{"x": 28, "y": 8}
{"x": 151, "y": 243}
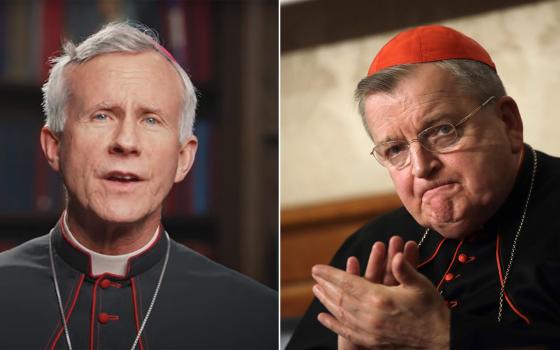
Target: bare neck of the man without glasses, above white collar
{"x": 108, "y": 237}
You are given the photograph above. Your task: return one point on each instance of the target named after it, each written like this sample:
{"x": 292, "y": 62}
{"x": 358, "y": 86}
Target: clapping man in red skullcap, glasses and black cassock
{"x": 471, "y": 260}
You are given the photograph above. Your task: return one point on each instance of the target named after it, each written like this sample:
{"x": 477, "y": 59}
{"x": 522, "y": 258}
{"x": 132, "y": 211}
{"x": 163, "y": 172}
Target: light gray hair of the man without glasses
{"x": 112, "y": 38}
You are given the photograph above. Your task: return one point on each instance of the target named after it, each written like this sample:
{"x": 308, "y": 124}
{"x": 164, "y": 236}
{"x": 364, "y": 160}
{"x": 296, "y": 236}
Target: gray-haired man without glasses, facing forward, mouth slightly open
{"x": 119, "y": 119}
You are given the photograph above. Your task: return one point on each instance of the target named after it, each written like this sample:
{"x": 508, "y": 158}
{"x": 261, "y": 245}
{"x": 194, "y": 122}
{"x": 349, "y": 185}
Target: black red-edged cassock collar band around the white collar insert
{"x": 80, "y": 260}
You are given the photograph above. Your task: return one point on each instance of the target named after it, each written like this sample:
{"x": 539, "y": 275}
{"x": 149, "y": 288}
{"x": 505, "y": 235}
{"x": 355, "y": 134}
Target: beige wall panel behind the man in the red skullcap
{"x": 324, "y": 149}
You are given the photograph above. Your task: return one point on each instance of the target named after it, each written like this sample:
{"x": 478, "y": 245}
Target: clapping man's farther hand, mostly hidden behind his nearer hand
{"x": 378, "y": 270}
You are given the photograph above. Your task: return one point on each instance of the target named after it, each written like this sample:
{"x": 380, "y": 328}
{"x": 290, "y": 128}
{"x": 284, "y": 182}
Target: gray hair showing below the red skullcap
{"x": 473, "y": 78}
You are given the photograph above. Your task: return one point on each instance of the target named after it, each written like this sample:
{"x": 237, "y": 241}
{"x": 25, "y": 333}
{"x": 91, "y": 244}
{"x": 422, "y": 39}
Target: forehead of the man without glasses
{"x": 116, "y": 77}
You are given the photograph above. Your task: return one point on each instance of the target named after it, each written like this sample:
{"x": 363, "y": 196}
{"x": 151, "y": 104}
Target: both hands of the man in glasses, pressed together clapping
{"x": 391, "y": 306}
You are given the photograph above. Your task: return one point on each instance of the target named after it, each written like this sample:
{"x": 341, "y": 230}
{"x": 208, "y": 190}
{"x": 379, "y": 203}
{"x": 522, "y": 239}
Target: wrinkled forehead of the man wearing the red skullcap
{"x": 426, "y": 95}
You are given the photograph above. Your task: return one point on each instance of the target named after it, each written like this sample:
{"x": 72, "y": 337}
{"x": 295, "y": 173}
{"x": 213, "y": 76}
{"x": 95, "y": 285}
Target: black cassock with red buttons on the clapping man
{"x": 467, "y": 272}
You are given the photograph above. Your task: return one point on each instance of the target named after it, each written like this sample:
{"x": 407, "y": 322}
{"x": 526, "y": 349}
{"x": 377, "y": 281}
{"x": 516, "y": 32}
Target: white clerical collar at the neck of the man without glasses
{"x": 103, "y": 263}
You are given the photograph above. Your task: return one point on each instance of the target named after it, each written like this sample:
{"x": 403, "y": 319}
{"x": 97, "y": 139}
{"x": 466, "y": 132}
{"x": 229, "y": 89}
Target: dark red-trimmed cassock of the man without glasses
{"x": 201, "y": 304}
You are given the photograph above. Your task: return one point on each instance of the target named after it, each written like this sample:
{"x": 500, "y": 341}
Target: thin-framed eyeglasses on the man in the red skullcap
{"x": 436, "y": 139}
